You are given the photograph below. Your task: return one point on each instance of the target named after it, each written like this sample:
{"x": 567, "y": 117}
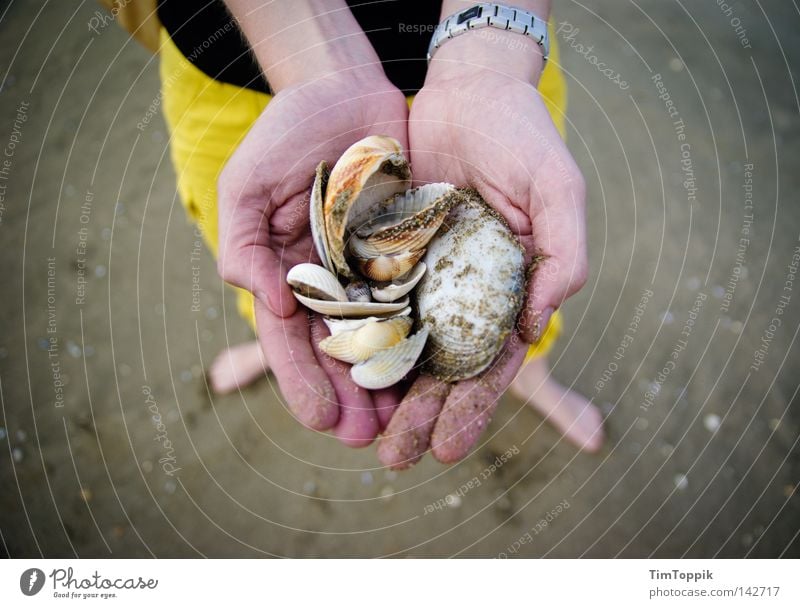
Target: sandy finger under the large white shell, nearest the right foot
{"x": 470, "y": 404}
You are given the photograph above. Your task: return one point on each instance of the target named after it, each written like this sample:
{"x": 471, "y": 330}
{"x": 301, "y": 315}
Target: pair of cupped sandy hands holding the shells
{"x": 462, "y": 130}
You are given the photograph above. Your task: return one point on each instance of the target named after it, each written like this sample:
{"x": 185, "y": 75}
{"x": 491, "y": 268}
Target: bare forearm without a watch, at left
{"x": 301, "y": 40}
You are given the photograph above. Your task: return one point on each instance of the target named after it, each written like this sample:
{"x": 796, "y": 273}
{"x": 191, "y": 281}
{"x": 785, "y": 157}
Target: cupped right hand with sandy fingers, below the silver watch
{"x": 487, "y": 127}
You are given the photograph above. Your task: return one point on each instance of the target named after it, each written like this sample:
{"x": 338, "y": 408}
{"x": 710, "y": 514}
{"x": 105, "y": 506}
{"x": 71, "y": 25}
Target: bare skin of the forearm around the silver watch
{"x": 501, "y": 51}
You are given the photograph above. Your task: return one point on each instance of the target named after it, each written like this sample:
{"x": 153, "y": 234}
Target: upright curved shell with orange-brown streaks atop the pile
{"x": 368, "y": 172}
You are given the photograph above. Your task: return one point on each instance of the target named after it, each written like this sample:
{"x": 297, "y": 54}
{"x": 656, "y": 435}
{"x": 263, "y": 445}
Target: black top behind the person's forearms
{"x": 205, "y": 33}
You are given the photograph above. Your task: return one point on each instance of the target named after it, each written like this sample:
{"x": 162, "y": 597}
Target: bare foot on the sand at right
{"x": 571, "y": 413}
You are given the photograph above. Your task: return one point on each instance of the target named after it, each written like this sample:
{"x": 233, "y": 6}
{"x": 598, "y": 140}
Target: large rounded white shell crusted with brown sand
{"x": 473, "y": 291}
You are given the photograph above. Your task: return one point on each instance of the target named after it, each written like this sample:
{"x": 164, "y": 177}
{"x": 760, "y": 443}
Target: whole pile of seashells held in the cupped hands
{"x": 381, "y": 243}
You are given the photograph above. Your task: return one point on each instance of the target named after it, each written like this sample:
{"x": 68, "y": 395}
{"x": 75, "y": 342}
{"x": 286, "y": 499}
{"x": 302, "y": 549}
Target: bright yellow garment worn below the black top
{"x": 208, "y": 119}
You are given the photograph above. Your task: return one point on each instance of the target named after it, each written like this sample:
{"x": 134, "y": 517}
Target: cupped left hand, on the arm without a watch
{"x": 264, "y": 230}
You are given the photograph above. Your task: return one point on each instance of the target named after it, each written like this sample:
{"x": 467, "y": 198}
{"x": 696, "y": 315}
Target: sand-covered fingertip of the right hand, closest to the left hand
{"x": 407, "y": 436}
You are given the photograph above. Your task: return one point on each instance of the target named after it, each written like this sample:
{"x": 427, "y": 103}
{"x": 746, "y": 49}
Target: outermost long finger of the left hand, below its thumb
{"x": 286, "y": 343}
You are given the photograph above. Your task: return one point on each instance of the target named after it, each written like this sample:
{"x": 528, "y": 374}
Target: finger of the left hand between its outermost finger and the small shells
{"x": 358, "y": 423}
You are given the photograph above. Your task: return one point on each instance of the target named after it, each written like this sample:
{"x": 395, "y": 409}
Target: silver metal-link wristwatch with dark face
{"x": 486, "y": 14}
